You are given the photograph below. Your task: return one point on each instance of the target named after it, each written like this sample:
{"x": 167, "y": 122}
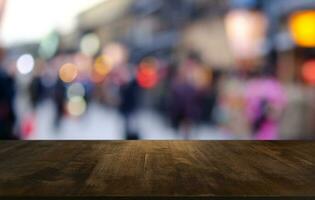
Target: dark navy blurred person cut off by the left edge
{"x": 7, "y": 93}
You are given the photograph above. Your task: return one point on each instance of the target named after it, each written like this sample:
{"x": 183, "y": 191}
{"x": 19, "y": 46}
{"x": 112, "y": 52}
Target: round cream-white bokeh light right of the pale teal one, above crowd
{"x": 90, "y": 44}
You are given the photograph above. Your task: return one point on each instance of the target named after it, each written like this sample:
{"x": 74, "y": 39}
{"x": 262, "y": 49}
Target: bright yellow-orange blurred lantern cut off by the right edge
{"x": 302, "y": 28}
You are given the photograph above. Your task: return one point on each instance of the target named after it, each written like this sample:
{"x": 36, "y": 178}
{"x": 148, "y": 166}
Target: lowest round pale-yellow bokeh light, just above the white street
{"x": 76, "y": 106}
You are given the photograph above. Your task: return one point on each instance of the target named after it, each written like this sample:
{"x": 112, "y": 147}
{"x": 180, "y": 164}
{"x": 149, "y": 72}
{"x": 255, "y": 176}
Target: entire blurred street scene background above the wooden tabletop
{"x": 157, "y": 69}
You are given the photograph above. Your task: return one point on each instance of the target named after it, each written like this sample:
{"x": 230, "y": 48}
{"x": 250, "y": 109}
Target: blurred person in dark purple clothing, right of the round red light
{"x": 187, "y": 95}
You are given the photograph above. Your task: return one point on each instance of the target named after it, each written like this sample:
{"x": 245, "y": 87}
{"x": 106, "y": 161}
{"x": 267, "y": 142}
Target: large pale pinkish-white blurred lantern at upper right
{"x": 246, "y": 31}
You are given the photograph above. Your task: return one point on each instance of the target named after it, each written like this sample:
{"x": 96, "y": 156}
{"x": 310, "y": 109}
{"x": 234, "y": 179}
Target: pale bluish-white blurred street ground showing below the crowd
{"x": 102, "y": 123}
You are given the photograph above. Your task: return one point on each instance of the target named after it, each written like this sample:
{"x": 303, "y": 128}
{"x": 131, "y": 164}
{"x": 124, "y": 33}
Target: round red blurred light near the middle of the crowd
{"x": 147, "y": 75}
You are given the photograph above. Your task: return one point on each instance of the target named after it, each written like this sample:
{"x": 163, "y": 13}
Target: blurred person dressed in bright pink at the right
{"x": 265, "y": 102}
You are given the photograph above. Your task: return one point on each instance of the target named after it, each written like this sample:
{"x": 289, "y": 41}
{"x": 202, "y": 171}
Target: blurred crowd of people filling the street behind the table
{"x": 186, "y": 93}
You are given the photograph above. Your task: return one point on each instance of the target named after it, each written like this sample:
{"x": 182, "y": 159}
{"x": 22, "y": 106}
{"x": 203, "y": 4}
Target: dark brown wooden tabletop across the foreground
{"x": 165, "y": 168}
